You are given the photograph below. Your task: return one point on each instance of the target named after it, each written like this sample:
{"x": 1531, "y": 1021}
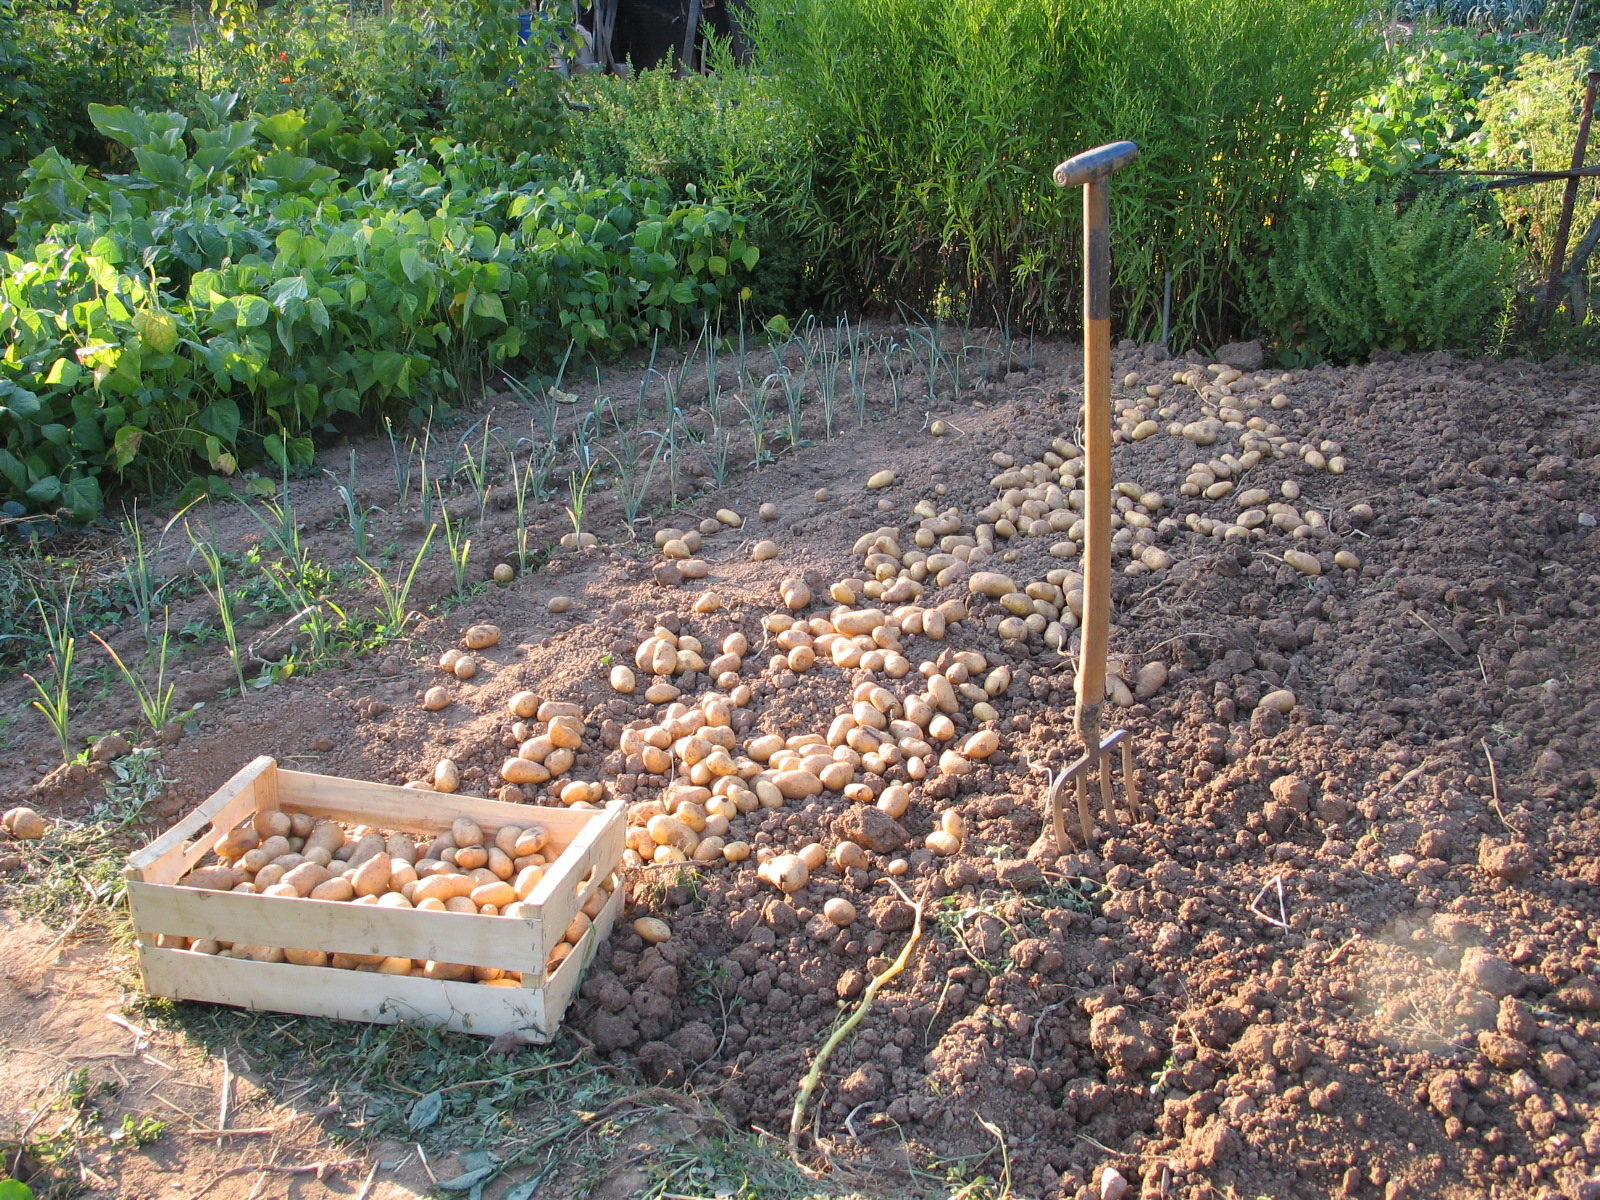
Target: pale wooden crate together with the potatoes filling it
{"x": 324, "y": 897}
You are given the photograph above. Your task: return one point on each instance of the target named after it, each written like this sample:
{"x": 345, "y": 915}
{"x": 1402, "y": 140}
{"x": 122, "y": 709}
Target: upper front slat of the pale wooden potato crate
{"x": 510, "y": 943}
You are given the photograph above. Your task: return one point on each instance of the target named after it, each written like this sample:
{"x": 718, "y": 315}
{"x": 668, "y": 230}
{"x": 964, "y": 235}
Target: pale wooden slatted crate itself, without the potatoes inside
{"x": 588, "y": 847}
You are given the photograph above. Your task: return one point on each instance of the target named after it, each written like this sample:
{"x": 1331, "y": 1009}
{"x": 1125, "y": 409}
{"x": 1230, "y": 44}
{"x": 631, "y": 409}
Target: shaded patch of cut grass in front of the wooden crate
{"x": 537, "y": 1113}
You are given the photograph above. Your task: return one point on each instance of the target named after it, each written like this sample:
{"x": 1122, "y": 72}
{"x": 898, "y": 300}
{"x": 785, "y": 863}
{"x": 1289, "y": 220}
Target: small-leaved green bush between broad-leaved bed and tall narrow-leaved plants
{"x": 732, "y": 140}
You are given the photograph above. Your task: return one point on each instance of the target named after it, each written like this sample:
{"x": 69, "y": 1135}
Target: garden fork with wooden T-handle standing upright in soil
{"x": 1092, "y": 170}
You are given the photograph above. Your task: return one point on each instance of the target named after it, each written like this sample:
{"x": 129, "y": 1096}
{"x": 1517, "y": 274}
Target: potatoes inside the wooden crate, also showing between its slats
{"x": 460, "y": 871}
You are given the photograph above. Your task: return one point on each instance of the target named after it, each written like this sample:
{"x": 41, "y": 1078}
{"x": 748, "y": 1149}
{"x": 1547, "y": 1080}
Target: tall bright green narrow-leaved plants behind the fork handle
{"x": 937, "y": 129}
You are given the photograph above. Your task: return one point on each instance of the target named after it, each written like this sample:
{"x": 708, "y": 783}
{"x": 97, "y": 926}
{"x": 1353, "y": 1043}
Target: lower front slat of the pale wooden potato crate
{"x": 351, "y": 996}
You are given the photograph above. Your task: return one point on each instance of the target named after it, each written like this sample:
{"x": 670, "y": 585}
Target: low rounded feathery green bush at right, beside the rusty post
{"x": 1354, "y": 271}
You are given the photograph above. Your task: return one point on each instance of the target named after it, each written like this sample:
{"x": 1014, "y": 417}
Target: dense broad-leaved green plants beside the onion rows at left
{"x": 233, "y": 297}
